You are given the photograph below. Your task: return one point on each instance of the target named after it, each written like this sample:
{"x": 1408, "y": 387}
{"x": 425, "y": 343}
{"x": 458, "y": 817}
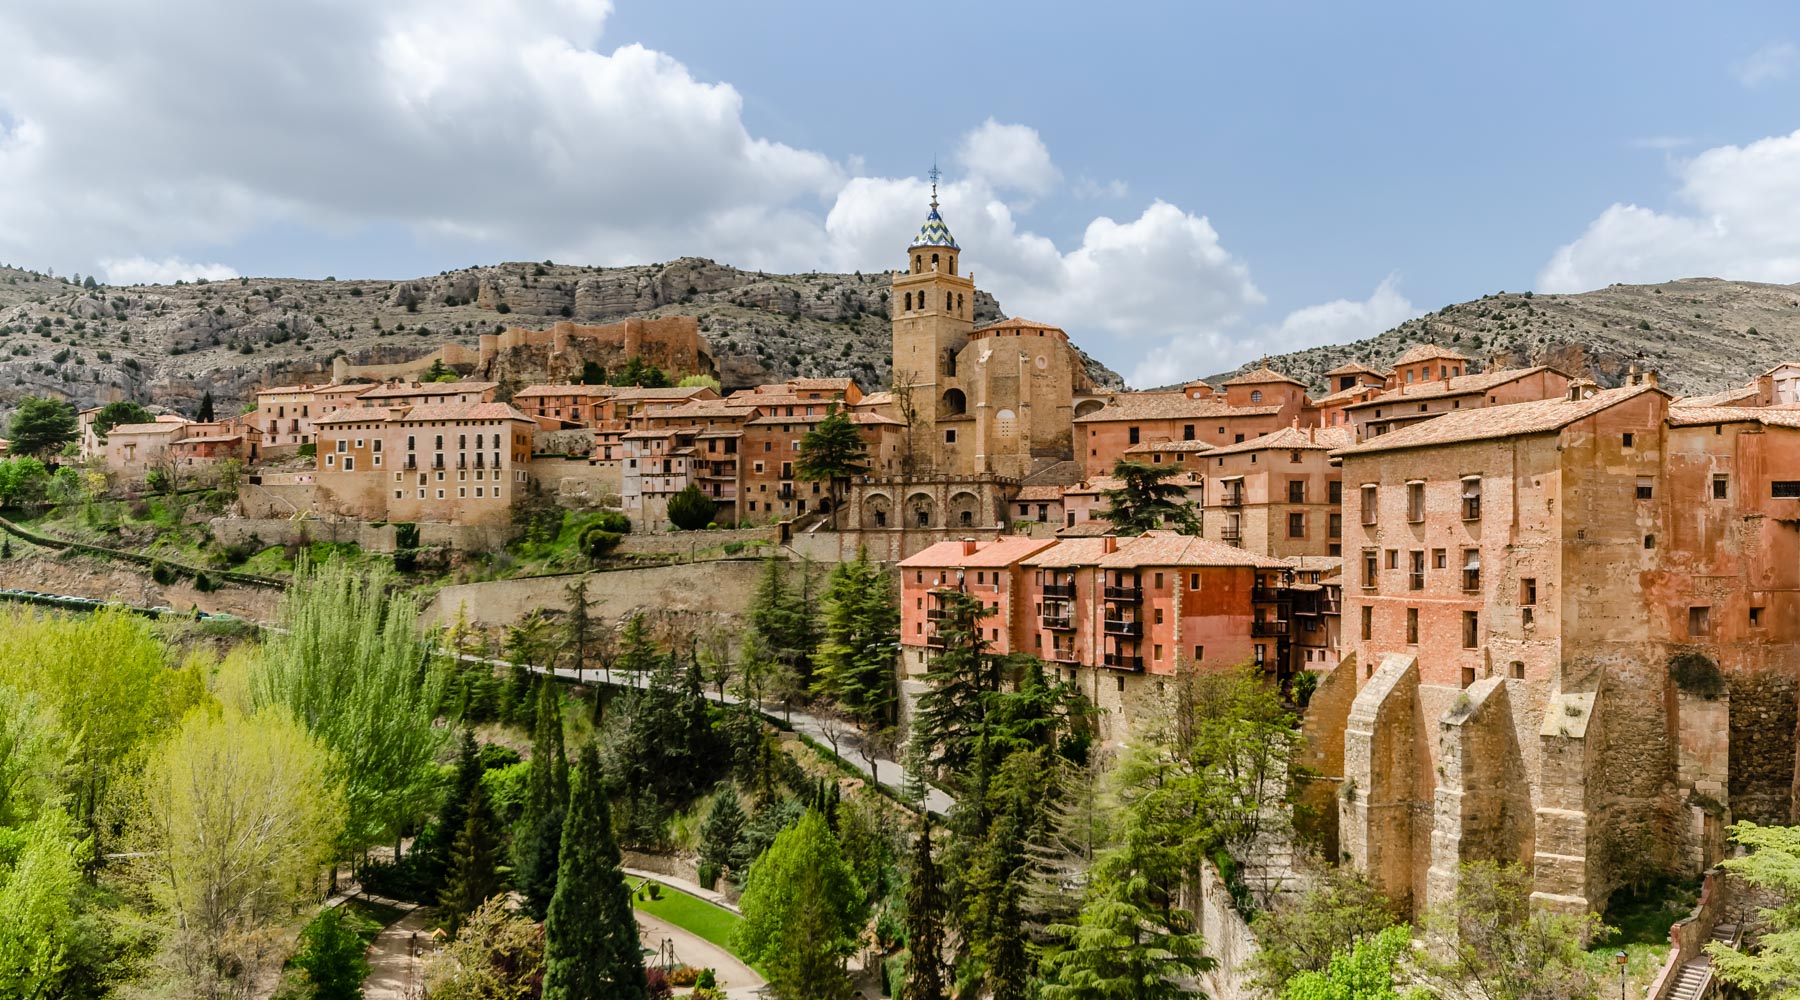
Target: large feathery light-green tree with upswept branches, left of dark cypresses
{"x": 355, "y": 672}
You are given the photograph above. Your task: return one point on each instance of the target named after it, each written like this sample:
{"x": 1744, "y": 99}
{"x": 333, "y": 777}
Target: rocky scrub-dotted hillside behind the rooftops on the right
{"x": 1704, "y": 335}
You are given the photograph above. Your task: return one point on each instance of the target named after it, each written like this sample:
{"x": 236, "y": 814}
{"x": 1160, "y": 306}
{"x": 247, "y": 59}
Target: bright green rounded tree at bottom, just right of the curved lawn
{"x": 802, "y": 913}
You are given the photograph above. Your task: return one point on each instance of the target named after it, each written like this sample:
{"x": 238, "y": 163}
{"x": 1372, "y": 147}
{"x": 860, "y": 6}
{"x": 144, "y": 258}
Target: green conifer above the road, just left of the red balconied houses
{"x": 856, "y": 661}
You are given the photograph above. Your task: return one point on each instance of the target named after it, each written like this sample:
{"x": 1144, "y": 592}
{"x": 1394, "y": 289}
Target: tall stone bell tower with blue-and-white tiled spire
{"x": 933, "y": 308}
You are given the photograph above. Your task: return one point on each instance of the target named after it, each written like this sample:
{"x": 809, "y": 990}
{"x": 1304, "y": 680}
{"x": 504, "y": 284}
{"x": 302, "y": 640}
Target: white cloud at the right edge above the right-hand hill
{"x": 1740, "y": 219}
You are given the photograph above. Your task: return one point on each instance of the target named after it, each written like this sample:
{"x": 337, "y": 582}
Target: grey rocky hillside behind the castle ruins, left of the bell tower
{"x": 170, "y": 344}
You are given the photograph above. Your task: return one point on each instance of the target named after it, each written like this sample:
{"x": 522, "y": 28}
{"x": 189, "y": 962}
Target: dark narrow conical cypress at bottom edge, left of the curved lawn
{"x": 591, "y": 938}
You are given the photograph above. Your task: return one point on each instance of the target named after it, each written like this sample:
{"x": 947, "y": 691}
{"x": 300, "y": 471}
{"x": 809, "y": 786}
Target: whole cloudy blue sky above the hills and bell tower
{"x": 1182, "y": 186}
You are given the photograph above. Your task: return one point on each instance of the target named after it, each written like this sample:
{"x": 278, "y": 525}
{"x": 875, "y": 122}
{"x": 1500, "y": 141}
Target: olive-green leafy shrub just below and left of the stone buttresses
{"x": 1304, "y": 933}
